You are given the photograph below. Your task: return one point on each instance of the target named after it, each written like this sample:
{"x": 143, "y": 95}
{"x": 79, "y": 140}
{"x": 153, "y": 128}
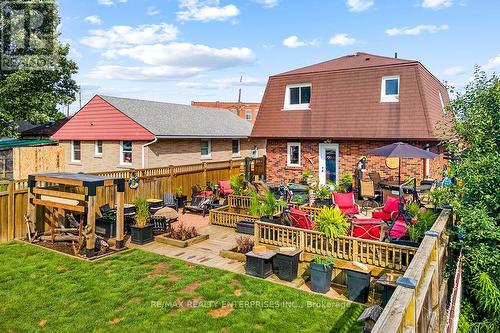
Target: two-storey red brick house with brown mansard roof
{"x": 325, "y": 117}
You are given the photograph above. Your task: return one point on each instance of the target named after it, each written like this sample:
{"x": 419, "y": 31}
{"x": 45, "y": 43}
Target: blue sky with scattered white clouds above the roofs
{"x": 183, "y": 50}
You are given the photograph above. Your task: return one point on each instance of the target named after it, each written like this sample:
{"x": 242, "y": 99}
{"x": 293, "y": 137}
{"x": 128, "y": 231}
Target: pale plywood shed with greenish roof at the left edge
{"x": 19, "y": 158}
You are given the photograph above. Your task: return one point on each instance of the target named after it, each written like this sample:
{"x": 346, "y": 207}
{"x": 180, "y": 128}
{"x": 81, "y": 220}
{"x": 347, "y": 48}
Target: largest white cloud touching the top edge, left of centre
{"x": 205, "y": 11}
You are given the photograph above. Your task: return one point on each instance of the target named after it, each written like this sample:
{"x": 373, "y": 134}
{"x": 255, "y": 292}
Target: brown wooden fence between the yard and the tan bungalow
{"x": 154, "y": 182}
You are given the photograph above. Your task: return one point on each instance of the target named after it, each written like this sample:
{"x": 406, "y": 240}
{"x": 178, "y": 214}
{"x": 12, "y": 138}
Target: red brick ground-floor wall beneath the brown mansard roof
{"x": 349, "y": 154}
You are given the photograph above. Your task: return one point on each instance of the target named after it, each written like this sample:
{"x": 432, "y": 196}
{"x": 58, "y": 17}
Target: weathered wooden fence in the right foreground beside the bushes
{"x": 419, "y": 305}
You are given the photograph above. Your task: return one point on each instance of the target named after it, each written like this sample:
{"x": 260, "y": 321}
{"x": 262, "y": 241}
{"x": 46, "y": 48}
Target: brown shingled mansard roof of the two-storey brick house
{"x": 345, "y": 102}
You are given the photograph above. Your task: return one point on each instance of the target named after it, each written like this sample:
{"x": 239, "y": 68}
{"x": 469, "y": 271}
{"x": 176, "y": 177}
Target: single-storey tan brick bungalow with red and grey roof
{"x": 111, "y": 133}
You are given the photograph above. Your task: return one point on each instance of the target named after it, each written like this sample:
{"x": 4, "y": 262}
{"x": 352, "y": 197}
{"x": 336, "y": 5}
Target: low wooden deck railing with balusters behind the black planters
{"x": 379, "y": 254}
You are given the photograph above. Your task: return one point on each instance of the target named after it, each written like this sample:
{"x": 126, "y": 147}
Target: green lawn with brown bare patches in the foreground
{"x": 135, "y": 291}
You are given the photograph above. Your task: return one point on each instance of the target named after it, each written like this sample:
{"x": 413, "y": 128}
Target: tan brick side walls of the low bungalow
{"x": 162, "y": 153}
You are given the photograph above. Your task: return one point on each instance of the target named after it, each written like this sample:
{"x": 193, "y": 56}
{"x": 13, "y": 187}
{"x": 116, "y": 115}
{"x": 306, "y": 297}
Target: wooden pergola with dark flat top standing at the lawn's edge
{"x": 63, "y": 191}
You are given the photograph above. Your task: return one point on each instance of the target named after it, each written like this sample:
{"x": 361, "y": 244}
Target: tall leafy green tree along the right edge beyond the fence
{"x": 477, "y": 127}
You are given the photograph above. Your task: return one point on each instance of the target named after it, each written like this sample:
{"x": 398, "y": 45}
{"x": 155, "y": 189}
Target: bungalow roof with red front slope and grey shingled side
{"x": 117, "y": 118}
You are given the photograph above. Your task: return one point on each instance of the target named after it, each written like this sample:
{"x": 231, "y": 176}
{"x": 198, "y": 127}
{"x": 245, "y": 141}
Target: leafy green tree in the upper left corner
{"x": 29, "y": 92}
